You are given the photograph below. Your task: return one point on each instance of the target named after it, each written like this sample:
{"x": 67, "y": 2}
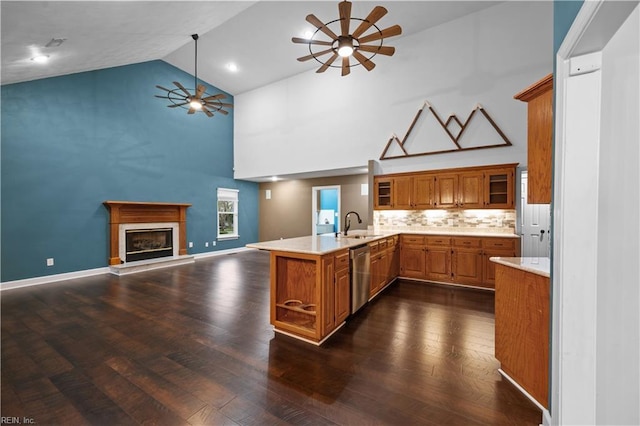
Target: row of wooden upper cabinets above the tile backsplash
{"x": 467, "y": 188}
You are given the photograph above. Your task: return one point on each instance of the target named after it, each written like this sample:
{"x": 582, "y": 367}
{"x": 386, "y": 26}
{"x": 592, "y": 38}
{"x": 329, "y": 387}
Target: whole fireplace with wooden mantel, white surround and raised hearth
{"x": 132, "y": 215}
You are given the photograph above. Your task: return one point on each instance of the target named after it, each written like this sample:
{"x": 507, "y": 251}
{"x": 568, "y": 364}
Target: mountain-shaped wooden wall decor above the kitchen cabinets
{"x": 445, "y": 126}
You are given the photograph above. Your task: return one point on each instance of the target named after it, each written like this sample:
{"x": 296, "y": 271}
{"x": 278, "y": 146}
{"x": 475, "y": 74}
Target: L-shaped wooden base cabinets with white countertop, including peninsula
{"x": 311, "y": 283}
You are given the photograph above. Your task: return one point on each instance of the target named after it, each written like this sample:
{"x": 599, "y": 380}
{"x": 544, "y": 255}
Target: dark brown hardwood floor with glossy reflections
{"x": 192, "y": 345}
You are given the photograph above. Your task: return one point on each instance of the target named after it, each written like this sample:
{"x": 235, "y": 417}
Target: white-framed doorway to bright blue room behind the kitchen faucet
{"x": 325, "y": 209}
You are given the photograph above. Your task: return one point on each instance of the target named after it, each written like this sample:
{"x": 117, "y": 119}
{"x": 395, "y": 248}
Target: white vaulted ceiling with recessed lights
{"x": 256, "y": 35}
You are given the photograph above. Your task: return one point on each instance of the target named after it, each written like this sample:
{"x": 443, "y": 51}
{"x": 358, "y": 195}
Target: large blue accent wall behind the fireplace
{"x": 69, "y": 143}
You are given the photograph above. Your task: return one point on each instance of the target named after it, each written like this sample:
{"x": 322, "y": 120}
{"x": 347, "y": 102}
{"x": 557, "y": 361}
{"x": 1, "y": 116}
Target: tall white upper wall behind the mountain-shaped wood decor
{"x": 314, "y": 122}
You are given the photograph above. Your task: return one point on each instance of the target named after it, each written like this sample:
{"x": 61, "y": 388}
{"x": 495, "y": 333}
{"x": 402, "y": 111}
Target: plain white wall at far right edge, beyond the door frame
{"x": 618, "y": 293}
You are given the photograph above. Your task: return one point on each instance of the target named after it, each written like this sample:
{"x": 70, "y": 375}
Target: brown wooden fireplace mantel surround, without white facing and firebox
{"x": 144, "y": 212}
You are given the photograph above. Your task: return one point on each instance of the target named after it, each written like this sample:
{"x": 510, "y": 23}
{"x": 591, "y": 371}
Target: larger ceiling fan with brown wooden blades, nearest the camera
{"x": 346, "y": 45}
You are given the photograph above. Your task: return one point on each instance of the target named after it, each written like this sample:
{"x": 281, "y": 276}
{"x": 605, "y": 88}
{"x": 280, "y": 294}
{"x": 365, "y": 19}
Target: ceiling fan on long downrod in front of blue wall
{"x": 200, "y": 100}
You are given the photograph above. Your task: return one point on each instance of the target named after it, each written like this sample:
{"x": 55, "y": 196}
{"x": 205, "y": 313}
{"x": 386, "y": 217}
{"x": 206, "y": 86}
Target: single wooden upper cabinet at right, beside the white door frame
{"x": 539, "y": 98}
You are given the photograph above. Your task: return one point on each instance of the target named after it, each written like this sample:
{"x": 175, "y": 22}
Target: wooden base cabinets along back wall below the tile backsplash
{"x": 459, "y": 260}
